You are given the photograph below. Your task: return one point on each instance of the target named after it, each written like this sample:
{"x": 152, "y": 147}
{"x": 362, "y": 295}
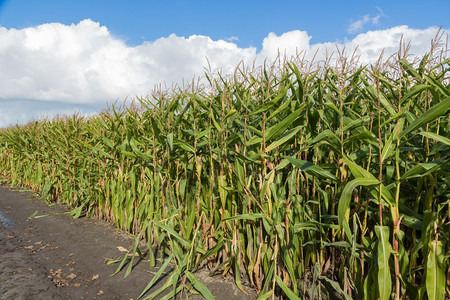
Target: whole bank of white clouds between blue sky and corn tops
{"x": 84, "y": 66}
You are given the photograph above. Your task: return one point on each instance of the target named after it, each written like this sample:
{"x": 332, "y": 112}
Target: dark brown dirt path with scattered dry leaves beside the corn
{"x": 45, "y": 254}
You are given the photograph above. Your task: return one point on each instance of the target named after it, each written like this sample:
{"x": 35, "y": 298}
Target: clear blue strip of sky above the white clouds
{"x": 250, "y": 21}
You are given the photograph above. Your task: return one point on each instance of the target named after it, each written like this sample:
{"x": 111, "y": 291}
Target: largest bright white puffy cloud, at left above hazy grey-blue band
{"x": 84, "y": 63}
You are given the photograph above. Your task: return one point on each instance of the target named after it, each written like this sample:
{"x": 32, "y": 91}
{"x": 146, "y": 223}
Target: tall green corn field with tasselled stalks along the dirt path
{"x": 300, "y": 180}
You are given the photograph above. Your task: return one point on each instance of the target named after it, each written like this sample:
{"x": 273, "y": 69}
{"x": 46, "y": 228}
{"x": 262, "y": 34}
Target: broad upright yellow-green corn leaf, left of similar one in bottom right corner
{"x": 383, "y": 255}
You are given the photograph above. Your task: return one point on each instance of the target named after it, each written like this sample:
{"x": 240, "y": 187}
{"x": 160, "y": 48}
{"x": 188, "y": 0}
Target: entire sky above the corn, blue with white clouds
{"x": 63, "y": 56}
